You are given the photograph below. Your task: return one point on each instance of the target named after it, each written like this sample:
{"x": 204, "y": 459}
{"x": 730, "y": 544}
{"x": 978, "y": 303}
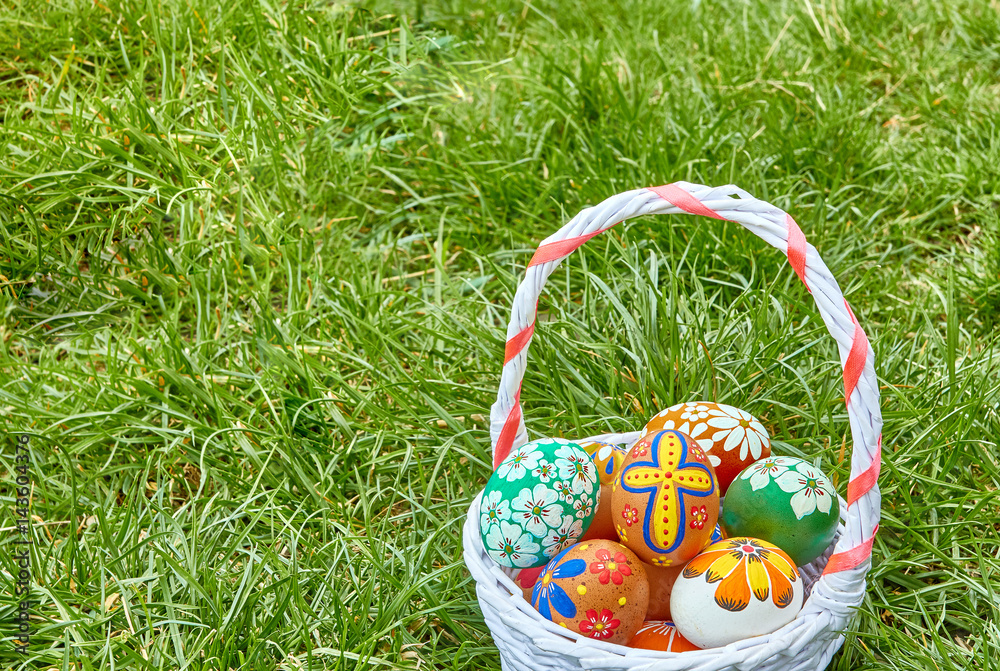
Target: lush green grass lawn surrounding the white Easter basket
{"x": 258, "y": 259}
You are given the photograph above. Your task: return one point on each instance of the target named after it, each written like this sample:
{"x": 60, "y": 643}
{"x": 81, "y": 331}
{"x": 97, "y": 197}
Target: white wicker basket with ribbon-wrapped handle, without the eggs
{"x": 835, "y": 582}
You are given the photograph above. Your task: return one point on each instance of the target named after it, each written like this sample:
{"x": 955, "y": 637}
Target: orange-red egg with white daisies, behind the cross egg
{"x": 732, "y": 438}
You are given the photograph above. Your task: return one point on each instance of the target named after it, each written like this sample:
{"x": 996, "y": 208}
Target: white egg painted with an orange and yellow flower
{"x": 735, "y": 589}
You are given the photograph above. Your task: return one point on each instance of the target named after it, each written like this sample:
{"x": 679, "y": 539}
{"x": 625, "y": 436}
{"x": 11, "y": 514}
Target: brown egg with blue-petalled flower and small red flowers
{"x": 597, "y": 589}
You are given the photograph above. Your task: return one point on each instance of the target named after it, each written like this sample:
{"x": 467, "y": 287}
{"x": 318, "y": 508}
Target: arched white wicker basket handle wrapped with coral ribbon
{"x": 775, "y": 227}
